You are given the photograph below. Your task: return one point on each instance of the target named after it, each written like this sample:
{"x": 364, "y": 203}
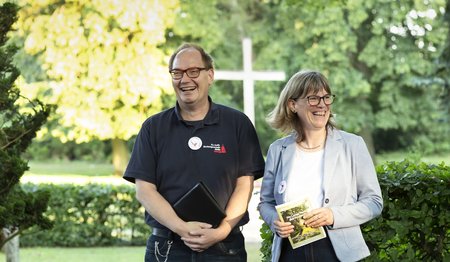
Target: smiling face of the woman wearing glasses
{"x": 311, "y": 117}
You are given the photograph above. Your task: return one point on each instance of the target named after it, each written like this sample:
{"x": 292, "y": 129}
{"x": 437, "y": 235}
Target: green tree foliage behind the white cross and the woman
{"x": 381, "y": 58}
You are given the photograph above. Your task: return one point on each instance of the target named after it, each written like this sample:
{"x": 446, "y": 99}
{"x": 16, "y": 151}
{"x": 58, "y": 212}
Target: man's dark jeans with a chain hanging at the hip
{"x": 230, "y": 249}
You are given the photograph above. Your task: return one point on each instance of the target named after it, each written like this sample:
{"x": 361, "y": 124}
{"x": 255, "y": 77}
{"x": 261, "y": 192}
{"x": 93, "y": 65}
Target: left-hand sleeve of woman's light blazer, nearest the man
{"x": 267, "y": 203}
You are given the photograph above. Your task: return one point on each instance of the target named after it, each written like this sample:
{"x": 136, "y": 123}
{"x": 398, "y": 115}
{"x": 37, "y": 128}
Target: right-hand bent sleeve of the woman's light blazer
{"x": 369, "y": 202}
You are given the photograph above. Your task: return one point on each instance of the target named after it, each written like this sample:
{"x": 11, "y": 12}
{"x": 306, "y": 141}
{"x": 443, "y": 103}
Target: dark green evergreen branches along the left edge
{"x": 19, "y": 210}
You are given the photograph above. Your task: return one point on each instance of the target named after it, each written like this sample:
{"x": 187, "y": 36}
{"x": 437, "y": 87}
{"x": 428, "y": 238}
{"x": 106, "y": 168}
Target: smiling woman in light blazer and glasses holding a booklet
{"x": 330, "y": 167}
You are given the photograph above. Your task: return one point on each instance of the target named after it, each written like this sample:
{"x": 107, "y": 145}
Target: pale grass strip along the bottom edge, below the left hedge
{"x": 113, "y": 254}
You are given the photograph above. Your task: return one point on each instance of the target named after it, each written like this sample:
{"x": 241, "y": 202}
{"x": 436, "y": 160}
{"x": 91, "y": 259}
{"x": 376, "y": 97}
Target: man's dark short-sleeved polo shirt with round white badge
{"x": 175, "y": 154}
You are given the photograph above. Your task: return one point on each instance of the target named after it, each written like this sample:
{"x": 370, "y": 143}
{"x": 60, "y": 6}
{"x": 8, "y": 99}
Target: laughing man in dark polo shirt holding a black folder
{"x": 197, "y": 140}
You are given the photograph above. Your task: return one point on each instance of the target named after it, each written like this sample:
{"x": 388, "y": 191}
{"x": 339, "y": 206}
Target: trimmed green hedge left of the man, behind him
{"x": 90, "y": 215}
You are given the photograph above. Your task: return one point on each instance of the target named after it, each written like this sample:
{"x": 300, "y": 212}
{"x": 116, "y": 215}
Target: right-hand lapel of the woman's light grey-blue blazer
{"x": 332, "y": 148}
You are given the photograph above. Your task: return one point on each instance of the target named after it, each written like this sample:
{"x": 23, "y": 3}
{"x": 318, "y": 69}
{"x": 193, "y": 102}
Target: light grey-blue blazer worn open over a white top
{"x": 351, "y": 190}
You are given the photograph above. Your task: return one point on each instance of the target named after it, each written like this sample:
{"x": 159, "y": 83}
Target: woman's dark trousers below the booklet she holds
{"x": 320, "y": 250}
